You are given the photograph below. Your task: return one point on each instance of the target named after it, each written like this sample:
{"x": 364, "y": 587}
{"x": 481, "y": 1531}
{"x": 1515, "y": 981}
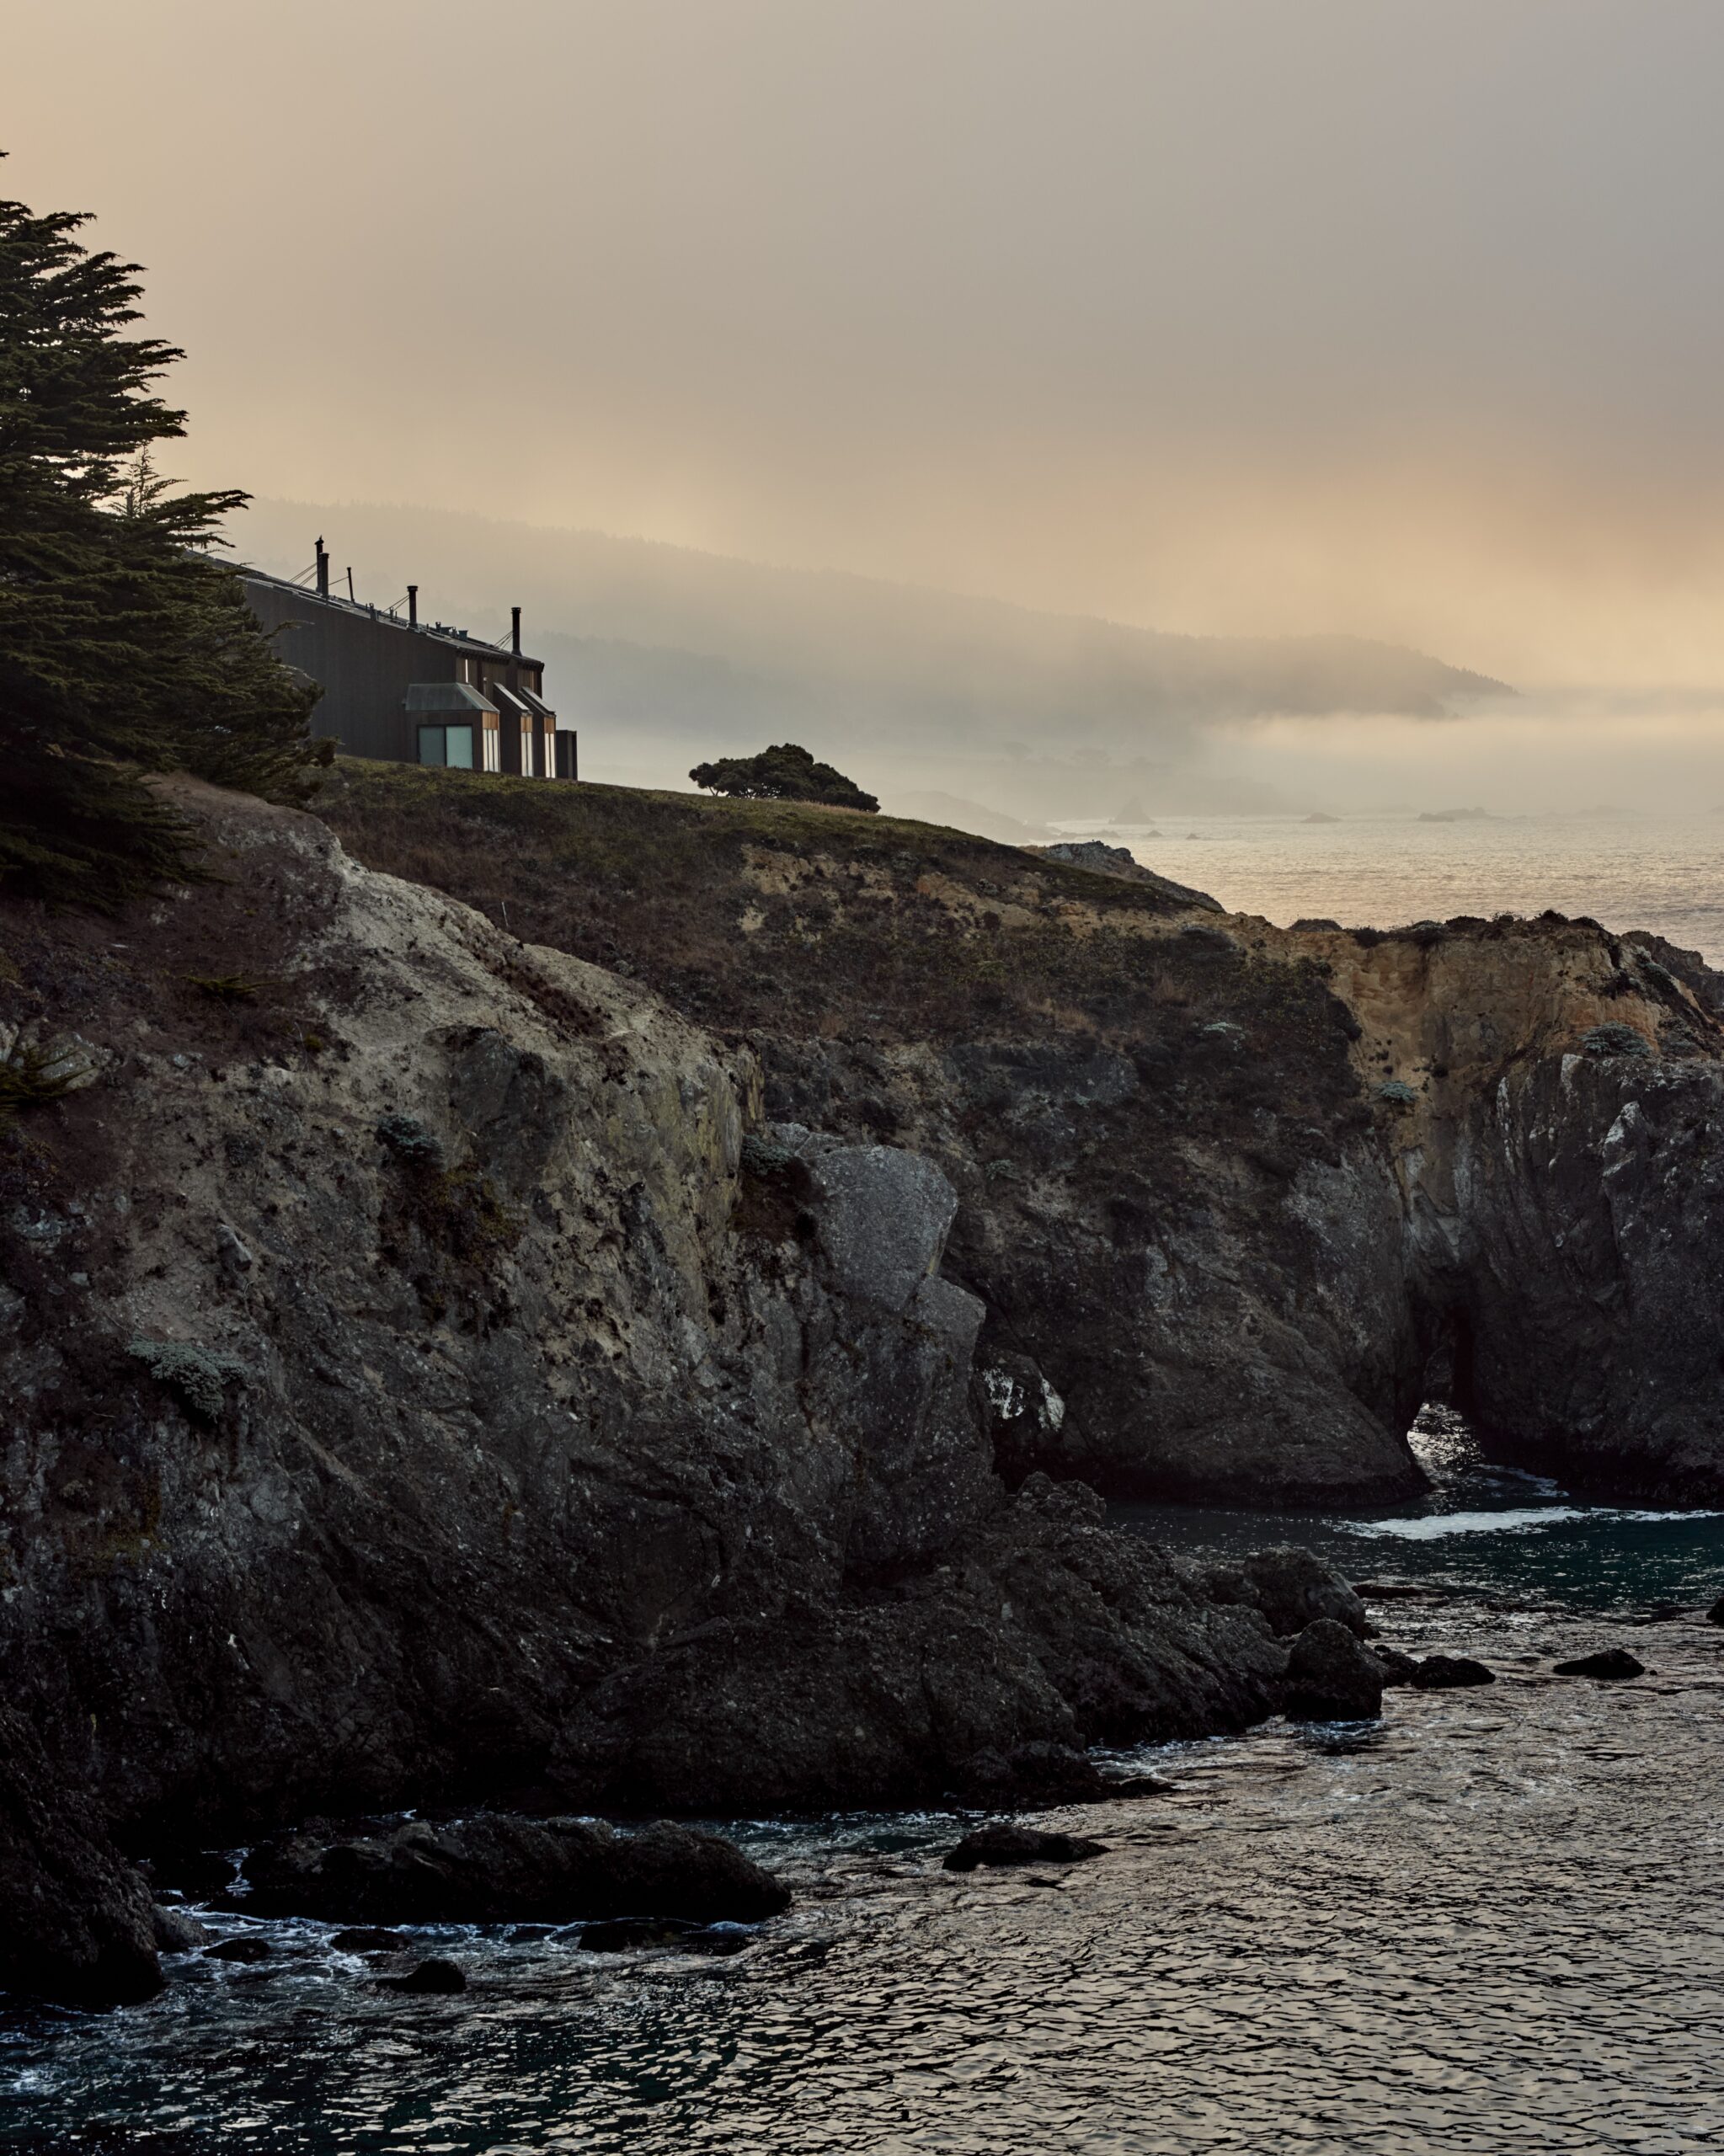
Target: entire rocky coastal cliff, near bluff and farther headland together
{"x": 441, "y": 1370}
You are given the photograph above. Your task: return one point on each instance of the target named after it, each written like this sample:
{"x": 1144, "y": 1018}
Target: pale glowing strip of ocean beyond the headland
{"x": 1630, "y": 872}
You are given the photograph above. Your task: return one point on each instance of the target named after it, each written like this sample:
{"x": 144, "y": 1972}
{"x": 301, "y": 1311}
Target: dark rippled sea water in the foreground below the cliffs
{"x": 1490, "y": 1924}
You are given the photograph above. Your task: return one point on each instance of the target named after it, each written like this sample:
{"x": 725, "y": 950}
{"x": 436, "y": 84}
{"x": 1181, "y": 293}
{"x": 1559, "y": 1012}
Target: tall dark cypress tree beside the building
{"x": 126, "y": 648}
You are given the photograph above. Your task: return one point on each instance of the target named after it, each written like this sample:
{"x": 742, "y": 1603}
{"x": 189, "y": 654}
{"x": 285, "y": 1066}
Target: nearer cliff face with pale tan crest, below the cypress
{"x": 415, "y": 1385}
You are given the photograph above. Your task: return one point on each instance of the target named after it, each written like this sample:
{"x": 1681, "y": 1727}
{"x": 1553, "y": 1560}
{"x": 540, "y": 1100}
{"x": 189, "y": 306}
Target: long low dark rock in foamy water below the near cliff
{"x": 495, "y": 1868}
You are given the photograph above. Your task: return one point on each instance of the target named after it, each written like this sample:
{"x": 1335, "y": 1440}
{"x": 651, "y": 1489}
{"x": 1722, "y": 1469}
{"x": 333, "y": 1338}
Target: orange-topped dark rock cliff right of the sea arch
{"x": 1559, "y": 1176}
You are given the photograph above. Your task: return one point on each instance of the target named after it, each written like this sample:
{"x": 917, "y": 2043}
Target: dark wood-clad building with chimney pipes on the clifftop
{"x": 413, "y": 693}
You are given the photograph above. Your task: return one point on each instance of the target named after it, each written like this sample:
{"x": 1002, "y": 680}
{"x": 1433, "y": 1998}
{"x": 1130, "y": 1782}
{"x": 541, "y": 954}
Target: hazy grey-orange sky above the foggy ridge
{"x": 1229, "y": 316}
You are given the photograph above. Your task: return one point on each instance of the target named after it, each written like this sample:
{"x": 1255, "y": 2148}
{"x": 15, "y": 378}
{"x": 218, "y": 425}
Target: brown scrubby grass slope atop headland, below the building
{"x": 788, "y": 920}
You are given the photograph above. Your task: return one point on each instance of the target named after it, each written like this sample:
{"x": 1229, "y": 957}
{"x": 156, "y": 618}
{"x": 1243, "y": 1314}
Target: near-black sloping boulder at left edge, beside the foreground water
{"x": 77, "y": 1918}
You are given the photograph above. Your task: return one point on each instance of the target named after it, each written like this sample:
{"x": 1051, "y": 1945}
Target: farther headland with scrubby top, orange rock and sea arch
{"x": 1227, "y": 1193}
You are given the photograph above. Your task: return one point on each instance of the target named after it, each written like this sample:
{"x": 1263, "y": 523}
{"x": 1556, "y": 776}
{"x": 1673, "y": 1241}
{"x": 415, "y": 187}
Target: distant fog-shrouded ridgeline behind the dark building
{"x": 719, "y": 652}
